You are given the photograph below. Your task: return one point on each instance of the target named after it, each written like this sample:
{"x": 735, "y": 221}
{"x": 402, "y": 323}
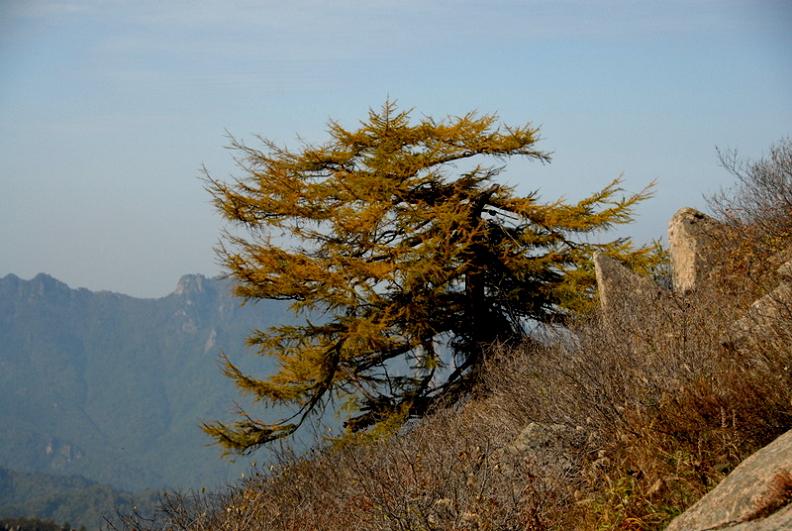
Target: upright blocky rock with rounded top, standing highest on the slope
{"x": 691, "y": 235}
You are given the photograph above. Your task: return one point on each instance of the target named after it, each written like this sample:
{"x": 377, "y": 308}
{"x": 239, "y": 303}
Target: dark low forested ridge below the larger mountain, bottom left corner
{"x": 67, "y": 499}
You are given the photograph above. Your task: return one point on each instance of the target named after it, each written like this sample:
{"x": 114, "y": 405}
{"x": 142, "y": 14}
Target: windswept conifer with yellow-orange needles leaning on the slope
{"x": 414, "y": 259}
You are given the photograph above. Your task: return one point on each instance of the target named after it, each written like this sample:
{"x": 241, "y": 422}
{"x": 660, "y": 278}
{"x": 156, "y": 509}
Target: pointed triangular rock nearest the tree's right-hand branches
{"x": 621, "y": 289}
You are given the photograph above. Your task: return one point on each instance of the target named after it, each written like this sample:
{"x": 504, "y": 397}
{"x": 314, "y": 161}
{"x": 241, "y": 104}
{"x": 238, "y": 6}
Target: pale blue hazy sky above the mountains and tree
{"x": 109, "y": 108}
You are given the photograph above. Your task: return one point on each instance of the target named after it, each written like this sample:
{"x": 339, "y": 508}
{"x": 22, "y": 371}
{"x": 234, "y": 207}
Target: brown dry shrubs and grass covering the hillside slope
{"x": 617, "y": 423}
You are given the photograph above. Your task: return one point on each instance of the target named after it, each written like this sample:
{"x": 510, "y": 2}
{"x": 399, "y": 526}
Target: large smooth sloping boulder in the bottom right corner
{"x": 757, "y": 495}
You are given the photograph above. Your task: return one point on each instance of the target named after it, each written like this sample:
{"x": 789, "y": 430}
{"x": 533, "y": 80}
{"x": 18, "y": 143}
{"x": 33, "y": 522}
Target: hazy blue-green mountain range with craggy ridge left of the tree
{"x": 113, "y": 388}
